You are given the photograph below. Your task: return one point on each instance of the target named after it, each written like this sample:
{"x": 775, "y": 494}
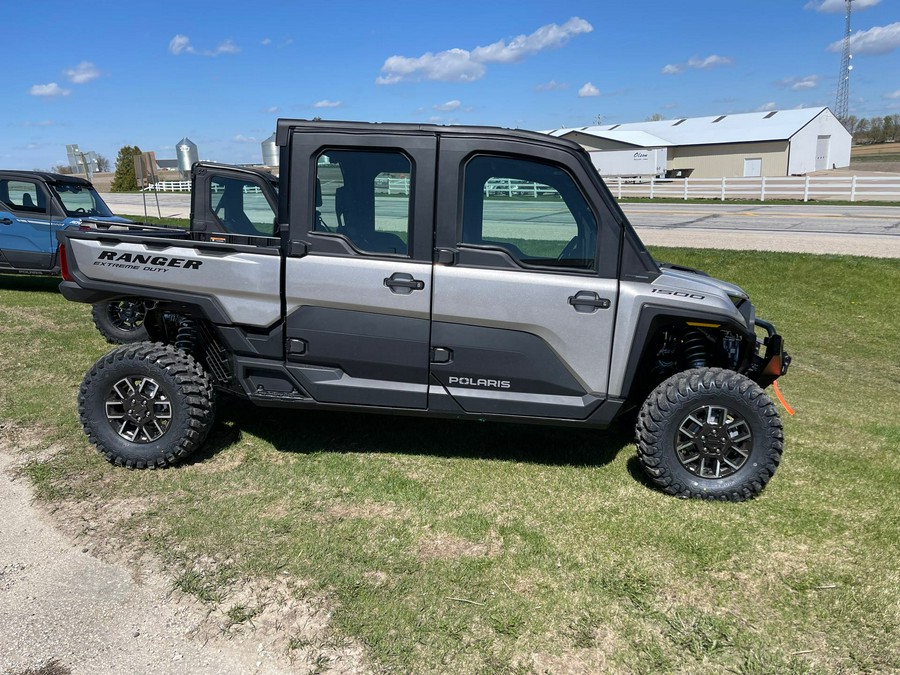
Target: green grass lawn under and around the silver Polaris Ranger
{"x": 475, "y": 547}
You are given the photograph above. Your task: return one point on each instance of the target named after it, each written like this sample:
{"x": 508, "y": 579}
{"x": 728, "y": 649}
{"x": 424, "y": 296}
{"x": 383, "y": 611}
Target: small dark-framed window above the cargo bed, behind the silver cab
{"x": 241, "y": 207}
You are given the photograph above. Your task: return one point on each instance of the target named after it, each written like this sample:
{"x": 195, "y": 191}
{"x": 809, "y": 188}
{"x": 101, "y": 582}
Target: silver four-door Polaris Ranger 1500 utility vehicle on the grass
{"x": 461, "y": 272}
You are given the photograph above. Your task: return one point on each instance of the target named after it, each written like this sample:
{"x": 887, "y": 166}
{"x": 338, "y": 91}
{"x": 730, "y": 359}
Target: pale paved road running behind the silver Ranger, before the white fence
{"x": 856, "y": 230}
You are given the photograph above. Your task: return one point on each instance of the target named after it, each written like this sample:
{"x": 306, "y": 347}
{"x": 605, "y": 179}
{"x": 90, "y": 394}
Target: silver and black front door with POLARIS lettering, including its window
{"x": 525, "y": 289}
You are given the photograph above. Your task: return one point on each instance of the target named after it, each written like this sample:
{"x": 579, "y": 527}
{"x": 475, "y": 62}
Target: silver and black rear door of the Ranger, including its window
{"x": 359, "y": 267}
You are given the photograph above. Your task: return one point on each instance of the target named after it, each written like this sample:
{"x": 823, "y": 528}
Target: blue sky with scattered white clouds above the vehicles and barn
{"x": 107, "y": 74}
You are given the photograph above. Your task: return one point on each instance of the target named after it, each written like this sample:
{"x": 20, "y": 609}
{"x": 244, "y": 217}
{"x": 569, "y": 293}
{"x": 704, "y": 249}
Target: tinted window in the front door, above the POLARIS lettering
{"x": 533, "y": 210}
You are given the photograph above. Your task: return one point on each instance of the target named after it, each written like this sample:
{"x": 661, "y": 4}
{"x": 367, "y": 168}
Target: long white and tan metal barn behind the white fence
{"x": 772, "y": 143}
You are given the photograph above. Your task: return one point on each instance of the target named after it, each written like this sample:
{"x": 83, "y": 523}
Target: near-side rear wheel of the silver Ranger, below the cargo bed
{"x": 146, "y": 405}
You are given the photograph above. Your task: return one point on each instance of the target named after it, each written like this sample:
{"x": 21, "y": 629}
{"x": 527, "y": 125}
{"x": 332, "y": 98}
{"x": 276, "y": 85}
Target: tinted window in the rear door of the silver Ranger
{"x": 365, "y": 196}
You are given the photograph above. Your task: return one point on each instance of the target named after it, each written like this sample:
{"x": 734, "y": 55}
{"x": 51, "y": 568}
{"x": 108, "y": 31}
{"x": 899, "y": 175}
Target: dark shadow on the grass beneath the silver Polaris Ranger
{"x": 313, "y": 431}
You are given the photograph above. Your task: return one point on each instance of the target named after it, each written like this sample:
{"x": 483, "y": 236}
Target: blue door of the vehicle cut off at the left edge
{"x": 26, "y": 240}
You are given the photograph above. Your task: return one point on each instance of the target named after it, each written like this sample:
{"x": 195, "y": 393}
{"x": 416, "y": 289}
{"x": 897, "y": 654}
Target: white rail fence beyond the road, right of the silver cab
{"x": 805, "y": 188}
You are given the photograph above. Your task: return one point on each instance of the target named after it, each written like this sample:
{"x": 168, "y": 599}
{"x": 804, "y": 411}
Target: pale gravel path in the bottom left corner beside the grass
{"x": 61, "y": 606}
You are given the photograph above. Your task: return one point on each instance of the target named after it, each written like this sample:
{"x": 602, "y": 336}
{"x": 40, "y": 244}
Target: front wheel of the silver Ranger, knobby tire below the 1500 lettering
{"x": 709, "y": 433}
